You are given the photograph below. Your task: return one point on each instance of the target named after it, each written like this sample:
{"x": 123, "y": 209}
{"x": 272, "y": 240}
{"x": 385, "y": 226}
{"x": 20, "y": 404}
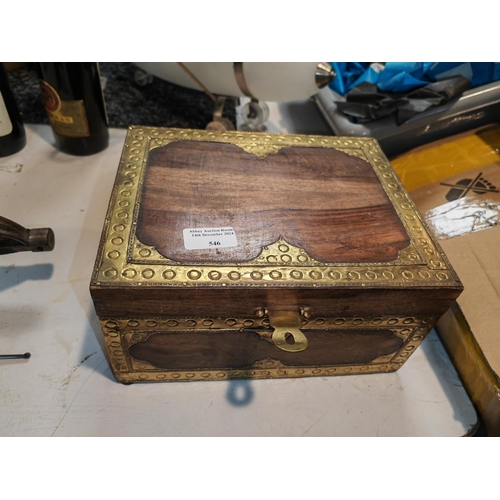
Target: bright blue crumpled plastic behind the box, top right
{"x": 405, "y": 76}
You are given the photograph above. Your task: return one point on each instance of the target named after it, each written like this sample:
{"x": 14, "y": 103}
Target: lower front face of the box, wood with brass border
{"x": 181, "y": 349}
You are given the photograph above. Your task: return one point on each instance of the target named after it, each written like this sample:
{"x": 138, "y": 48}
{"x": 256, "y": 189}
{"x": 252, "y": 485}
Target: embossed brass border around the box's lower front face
{"x": 121, "y": 333}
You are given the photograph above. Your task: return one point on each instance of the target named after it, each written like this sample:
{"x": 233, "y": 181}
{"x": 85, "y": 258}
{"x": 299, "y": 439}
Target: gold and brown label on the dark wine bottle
{"x": 66, "y": 118}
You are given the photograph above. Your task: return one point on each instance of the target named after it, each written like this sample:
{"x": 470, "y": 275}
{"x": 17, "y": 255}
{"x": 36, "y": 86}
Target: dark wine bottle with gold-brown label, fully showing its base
{"x": 73, "y": 97}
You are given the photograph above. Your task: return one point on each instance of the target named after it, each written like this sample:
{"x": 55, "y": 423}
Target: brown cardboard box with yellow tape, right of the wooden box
{"x": 463, "y": 210}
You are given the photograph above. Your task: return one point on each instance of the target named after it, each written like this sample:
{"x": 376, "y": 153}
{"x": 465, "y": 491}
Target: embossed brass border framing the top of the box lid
{"x": 123, "y": 260}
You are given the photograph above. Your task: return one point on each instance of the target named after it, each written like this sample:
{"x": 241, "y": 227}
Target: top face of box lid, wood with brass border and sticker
{"x": 283, "y": 210}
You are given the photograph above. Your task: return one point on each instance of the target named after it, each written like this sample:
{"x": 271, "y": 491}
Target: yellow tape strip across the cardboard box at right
{"x": 442, "y": 159}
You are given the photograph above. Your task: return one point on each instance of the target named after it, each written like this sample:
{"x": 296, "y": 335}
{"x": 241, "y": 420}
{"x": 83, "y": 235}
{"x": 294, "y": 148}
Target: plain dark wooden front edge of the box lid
{"x": 238, "y": 302}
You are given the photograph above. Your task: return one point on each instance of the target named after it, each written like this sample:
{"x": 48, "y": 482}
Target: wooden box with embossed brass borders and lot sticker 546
{"x": 240, "y": 255}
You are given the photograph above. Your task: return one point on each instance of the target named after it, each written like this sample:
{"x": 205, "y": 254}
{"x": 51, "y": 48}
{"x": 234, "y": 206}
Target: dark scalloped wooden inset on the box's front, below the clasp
{"x": 241, "y": 349}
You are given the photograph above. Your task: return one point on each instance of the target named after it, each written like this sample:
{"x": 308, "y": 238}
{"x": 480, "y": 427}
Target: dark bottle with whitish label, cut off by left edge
{"x": 12, "y": 133}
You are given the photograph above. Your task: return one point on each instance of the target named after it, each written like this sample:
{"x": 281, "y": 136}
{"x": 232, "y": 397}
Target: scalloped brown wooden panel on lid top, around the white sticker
{"x": 322, "y": 200}
